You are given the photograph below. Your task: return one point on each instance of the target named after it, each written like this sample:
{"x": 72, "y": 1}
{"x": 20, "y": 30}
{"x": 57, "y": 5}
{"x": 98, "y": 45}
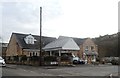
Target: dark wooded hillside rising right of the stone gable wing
{"x": 107, "y": 45}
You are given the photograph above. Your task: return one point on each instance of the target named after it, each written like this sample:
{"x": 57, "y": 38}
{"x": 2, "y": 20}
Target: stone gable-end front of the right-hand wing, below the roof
{"x": 88, "y": 51}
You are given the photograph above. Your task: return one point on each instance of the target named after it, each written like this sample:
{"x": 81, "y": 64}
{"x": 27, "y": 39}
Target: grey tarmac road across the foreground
{"x": 82, "y": 71}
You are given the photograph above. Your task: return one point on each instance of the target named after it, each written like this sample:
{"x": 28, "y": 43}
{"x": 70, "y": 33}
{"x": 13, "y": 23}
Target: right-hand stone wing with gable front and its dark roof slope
{"x": 88, "y": 49}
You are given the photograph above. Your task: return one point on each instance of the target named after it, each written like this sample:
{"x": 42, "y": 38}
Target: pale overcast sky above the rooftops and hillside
{"x": 74, "y": 18}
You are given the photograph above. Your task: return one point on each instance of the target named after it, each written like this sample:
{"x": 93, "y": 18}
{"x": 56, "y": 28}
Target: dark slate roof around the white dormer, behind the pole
{"x": 20, "y": 39}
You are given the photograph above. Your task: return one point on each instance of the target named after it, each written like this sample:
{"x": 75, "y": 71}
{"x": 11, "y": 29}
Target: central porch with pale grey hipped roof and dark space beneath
{"x": 62, "y": 48}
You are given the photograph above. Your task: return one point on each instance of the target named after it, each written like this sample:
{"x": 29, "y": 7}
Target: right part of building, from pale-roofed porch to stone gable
{"x": 85, "y": 48}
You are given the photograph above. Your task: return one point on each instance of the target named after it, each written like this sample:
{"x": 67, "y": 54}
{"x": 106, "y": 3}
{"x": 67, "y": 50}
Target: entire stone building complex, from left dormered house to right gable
{"x": 28, "y": 45}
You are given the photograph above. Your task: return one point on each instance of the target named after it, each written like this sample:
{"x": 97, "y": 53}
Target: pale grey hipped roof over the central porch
{"x": 66, "y": 43}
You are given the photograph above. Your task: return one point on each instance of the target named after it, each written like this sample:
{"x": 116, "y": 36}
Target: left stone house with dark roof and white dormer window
{"x": 25, "y": 45}
